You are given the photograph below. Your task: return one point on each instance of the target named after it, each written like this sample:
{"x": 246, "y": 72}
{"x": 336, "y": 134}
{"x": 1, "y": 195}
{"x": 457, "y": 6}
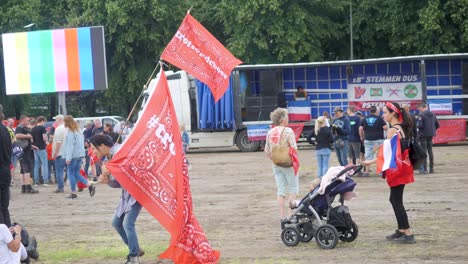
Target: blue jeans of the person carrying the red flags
{"x": 125, "y": 226}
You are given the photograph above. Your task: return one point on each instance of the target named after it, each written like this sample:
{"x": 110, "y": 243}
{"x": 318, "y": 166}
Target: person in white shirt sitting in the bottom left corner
{"x": 11, "y": 249}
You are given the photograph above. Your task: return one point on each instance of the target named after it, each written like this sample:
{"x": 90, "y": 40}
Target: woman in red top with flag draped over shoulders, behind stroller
{"x": 393, "y": 160}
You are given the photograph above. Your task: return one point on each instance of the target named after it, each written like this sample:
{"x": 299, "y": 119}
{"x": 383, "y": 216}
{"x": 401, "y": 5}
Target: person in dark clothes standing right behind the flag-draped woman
{"x": 427, "y": 126}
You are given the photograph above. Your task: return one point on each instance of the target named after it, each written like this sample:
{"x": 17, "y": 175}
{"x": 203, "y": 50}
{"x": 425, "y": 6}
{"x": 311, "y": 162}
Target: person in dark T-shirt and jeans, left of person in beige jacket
{"x": 39, "y": 135}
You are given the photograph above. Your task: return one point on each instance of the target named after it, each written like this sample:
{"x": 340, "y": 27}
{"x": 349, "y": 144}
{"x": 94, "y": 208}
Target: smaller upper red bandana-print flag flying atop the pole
{"x": 196, "y": 51}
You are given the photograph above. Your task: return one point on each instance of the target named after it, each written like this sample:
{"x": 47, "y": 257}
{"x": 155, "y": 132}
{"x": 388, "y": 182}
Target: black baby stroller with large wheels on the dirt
{"x": 314, "y": 215}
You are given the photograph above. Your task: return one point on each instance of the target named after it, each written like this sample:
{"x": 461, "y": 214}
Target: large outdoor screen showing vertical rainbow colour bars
{"x": 61, "y": 60}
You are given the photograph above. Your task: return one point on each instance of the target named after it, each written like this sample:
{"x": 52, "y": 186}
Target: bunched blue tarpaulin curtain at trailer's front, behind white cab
{"x": 215, "y": 116}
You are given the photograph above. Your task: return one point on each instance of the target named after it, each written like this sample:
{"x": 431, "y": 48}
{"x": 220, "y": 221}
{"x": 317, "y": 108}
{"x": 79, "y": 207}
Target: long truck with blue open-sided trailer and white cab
{"x": 242, "y": 116}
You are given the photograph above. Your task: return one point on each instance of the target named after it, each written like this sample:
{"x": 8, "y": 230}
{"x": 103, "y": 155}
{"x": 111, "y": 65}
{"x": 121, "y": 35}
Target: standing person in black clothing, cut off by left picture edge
{"x": 5, "y": 175}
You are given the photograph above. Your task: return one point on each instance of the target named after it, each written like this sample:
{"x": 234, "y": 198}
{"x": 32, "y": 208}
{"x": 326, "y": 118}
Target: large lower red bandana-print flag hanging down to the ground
{"x": 150, "y": 166}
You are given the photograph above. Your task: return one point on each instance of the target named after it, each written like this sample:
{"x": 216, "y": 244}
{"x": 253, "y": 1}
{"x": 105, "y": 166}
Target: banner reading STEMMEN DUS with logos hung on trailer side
{"x": 367, "y": 88}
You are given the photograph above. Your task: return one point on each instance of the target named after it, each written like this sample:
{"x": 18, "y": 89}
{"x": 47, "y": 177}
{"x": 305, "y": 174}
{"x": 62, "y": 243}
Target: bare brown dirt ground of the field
{"x": 234, "y": 201}
